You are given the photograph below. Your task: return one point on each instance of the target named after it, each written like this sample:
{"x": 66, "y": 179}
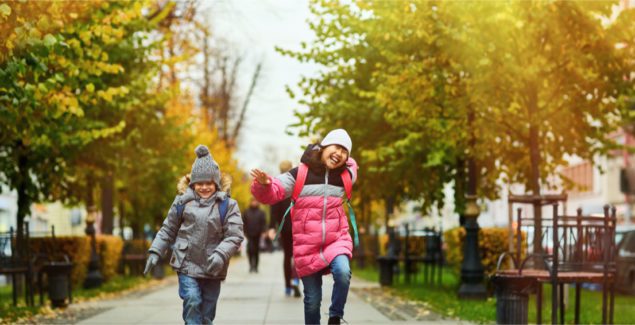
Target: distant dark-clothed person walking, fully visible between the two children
{"x": 255, "y": 226}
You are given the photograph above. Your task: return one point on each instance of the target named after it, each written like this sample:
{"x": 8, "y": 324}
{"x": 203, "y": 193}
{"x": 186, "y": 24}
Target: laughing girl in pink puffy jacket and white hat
{"x": 321, "y": 241}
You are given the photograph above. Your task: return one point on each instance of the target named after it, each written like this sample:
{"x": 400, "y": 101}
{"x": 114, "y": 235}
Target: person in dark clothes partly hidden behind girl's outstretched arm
{"x": 291, "y": 281}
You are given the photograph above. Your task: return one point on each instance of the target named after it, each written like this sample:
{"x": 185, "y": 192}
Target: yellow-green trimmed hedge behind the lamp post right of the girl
{"x": 492, "y": 243}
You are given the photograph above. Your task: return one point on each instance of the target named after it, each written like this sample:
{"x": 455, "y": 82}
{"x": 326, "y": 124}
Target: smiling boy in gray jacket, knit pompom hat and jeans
{"x": 204, "y": 239}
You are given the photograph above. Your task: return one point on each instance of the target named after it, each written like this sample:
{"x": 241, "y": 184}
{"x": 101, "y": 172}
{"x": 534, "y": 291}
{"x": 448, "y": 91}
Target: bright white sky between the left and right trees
{"x": 254, "y": 28}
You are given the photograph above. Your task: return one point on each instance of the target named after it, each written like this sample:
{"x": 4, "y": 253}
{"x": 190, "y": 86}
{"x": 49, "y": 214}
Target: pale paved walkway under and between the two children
{"x": 245, "y": 299}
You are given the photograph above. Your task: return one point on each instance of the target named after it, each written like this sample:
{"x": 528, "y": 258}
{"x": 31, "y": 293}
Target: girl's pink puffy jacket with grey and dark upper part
{"x": 319, "y": 223}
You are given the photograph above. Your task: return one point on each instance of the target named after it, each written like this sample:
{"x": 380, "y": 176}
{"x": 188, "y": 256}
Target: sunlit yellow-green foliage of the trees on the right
{"x": 542, "y": 79}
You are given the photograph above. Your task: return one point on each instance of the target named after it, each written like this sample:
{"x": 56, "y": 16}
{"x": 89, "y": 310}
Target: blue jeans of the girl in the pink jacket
{"x": 341, "y": 271}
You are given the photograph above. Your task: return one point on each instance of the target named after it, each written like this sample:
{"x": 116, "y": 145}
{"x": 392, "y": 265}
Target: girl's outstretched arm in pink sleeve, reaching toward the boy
{"x": 270, "y": 190}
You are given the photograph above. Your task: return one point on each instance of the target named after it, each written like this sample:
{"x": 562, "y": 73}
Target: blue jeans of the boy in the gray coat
{"x": 199, "y": 299}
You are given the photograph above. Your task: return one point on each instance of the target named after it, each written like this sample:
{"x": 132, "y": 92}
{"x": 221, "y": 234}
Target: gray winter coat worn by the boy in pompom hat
{"x": 199, "y": 234}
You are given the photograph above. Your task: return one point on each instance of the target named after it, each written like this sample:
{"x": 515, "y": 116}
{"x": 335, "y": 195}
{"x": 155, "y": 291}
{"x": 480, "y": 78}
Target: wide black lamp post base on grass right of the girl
{"x": 472, "y": 271}
